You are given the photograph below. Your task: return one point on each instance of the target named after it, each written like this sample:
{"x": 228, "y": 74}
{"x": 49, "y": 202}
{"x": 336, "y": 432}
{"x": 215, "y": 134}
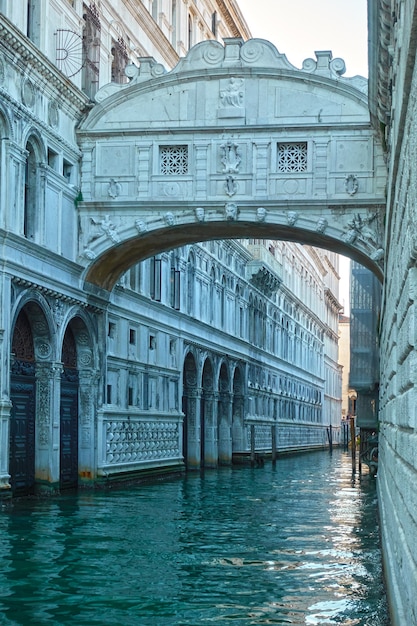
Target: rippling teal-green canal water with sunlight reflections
{"x": 296, "y": 543}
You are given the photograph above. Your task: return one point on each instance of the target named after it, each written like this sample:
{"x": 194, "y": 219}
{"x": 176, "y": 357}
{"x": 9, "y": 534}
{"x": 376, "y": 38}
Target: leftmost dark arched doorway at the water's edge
{"x": 22, "y": 417}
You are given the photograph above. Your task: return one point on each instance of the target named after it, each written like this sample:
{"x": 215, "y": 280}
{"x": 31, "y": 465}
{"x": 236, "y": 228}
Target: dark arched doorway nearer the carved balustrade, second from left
{"x": 68, "y": 457}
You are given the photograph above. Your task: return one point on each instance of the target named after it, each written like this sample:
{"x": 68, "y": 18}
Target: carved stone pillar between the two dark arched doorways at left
{"x": 47, "y": 427}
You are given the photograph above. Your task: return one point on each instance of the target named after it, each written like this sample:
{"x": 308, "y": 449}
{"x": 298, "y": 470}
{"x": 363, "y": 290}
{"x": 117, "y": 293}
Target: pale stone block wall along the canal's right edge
{"x": 397, "y": 474}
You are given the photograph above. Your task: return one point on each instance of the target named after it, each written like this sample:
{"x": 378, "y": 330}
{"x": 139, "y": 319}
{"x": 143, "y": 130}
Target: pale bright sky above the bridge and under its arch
{"x": 300, "y": 27}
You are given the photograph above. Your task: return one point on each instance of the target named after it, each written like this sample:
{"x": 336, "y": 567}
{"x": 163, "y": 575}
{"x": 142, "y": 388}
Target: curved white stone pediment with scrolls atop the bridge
{"x": 249, "y": 82}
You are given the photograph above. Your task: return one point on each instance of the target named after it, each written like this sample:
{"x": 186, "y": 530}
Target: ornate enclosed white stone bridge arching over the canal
{"x": 234, "y": 142}
